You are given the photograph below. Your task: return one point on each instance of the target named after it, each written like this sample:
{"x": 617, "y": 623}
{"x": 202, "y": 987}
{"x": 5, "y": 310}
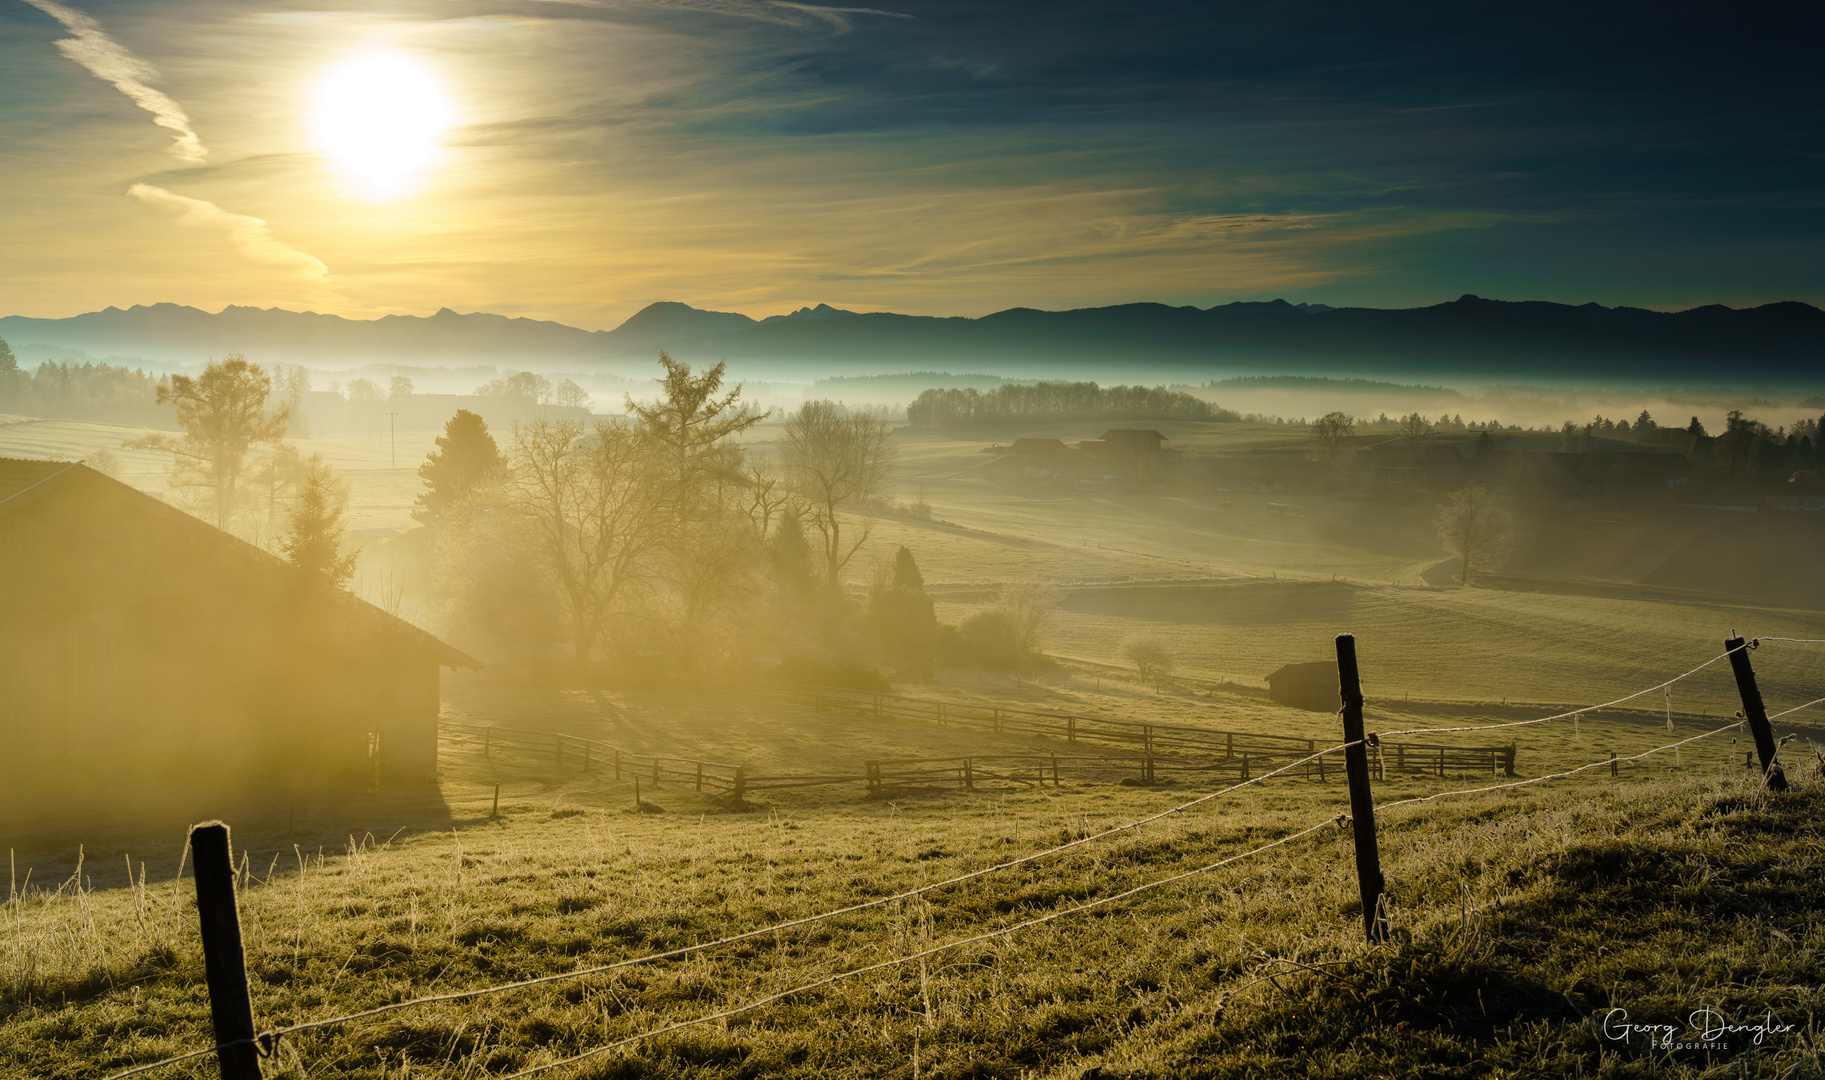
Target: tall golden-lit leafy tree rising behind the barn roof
{"x": 224, "y": 415}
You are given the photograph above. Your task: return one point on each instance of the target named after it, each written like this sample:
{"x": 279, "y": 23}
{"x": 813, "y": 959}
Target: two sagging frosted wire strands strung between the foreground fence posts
{"x": 702, "y": 771}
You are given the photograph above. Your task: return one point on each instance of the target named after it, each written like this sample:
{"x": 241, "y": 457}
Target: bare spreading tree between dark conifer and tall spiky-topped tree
{"x": 594, "y": 497}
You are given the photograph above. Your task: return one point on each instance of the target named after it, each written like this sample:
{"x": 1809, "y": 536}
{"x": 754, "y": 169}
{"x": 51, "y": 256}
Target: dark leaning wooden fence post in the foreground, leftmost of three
{"x": 224, "y": 964}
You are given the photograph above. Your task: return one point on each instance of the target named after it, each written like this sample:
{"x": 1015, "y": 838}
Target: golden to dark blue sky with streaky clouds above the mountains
{"x": 581, "y": 160}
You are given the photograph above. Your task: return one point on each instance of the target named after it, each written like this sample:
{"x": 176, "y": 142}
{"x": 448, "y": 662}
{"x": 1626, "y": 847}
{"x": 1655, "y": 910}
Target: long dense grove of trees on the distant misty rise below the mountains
{"x": 1047, "y": 402}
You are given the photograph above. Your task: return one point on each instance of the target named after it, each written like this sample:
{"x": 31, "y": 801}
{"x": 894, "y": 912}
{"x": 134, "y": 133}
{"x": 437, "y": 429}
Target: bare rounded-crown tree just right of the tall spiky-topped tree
{"x": 835, "y": 461}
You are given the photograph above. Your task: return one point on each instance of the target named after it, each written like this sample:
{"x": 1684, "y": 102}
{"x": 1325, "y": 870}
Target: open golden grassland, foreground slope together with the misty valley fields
{"x": 1519, "y": 915}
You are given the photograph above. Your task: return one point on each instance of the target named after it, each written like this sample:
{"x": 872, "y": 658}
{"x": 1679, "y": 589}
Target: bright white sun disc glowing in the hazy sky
{"x": 382, "y": 119}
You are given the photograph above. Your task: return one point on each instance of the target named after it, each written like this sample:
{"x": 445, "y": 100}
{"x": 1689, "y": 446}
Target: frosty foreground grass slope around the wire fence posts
{"x": 1519, "y": 917}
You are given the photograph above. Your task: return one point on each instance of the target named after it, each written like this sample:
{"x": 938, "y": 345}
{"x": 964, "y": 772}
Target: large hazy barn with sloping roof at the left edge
{"x": 141, "y": 643}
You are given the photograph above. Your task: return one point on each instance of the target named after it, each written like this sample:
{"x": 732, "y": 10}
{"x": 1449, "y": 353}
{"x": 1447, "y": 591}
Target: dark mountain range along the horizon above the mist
{"x": 1472, "y": 338}
